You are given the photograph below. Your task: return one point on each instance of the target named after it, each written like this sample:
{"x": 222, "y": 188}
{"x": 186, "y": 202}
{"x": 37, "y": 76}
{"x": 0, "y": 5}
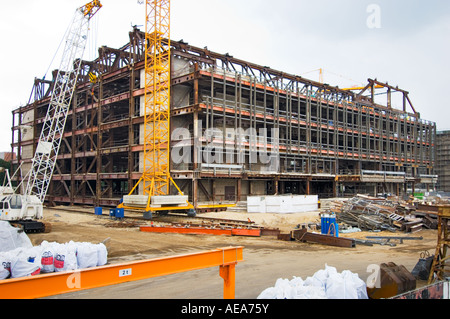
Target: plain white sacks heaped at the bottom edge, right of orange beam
{"x": 324, "y": 284}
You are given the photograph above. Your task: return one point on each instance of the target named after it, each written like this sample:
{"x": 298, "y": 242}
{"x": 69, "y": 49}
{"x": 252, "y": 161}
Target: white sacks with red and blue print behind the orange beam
{"x": 51, "y": 257}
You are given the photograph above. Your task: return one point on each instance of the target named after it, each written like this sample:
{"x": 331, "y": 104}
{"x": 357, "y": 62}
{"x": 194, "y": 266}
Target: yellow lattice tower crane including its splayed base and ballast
{"x": 156, "y": 180}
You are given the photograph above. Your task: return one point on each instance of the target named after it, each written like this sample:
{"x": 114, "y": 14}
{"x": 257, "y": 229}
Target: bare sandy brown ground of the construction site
{"x": 265, "y": 258}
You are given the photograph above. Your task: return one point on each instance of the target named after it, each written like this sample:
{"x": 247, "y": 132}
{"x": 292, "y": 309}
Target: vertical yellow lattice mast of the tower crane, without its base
{"x": 156, "y": 175}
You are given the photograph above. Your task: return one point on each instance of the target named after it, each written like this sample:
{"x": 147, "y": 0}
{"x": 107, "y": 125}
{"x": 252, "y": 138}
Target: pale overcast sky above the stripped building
{"x": 405, "y": 43}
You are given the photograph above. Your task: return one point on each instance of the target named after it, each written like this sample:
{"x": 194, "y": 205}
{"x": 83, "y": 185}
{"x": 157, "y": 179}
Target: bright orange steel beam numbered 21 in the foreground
{"x": 71, "y": 281}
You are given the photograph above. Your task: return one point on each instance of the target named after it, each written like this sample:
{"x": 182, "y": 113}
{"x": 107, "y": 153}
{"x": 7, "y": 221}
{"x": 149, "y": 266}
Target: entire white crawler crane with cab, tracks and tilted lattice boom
{"x": 24, "y": 204}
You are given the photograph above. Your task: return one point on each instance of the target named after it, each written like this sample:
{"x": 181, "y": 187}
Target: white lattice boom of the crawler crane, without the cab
{"x": 43, "y": 163}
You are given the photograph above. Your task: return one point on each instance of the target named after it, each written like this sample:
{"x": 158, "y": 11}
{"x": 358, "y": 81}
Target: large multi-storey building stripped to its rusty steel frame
{"x": 238, "y": 129}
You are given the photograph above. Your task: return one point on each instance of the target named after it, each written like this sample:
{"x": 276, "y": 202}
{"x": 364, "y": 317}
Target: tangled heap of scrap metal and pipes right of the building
{"x": 378, "y": 214}
